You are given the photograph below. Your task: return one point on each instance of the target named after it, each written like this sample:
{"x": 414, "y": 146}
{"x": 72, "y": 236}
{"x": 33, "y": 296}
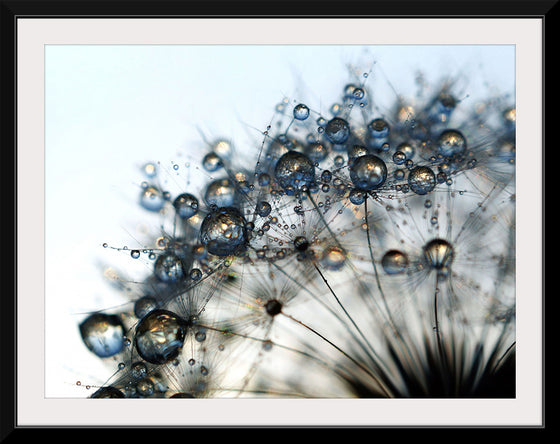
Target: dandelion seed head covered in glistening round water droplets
{"x": 354, "y": 241}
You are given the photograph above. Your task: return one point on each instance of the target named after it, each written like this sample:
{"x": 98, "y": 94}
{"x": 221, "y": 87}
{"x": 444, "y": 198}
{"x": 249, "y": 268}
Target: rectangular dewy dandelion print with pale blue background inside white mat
{"x": 280, "y": 221}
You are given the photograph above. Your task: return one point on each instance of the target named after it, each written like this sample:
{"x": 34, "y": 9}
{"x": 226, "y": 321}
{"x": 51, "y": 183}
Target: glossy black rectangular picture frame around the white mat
{"x": 11, "y": 11}
